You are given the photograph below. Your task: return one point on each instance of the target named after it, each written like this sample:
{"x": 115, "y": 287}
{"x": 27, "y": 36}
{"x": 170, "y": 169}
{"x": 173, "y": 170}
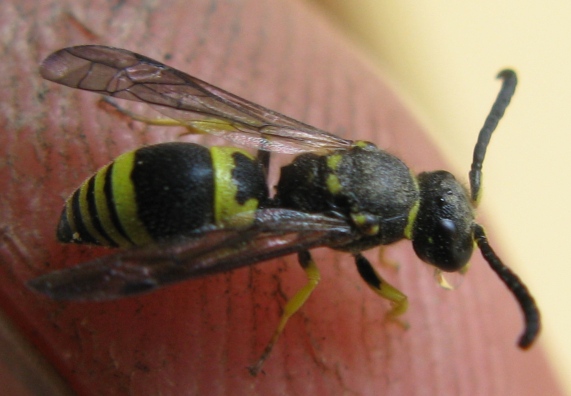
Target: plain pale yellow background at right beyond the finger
{"x": 445, "y": 55}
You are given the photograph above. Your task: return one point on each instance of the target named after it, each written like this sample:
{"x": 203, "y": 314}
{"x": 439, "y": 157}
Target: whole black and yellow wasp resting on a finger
{"x": 182, "y": 210}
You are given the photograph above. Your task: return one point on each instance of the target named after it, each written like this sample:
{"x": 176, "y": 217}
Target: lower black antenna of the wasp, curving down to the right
{"x": 516, "y": 286}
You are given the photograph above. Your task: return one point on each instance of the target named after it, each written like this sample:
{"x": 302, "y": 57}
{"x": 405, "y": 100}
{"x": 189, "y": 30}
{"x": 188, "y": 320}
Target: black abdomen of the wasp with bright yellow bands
{"x": 162, "y": 191}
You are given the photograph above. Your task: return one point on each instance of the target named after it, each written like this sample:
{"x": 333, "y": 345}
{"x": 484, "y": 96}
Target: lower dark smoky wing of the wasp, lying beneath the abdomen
{"x": 276, "y": 232}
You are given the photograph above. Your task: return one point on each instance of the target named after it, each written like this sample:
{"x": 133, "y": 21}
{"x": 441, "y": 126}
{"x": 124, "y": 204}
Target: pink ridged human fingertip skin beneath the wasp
{"x": 197, "y": 337}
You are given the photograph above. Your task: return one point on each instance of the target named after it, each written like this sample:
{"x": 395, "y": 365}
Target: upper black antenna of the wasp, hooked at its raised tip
{"x": 496, "y": 113}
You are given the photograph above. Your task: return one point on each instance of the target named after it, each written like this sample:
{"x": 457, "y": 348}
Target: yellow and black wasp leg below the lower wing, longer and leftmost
{"x": 292, "y": 306}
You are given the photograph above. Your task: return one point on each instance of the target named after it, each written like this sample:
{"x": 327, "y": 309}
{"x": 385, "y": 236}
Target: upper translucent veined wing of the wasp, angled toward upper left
{"x": 193, "y": 102}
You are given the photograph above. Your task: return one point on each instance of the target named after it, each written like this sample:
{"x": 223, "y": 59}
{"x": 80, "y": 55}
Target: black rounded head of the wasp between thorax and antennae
{"x": 442, "y": 233}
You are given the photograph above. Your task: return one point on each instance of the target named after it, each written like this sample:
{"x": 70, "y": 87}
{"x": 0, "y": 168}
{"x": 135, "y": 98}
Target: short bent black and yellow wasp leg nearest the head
{"x": 398, "y": 300}
